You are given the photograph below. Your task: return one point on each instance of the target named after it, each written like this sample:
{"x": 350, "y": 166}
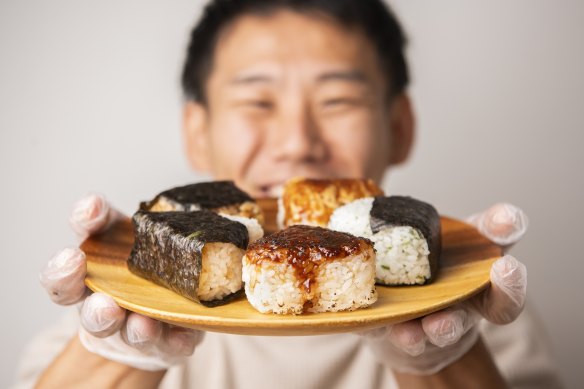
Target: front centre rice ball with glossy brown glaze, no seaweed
{"x": 309, "y": 269}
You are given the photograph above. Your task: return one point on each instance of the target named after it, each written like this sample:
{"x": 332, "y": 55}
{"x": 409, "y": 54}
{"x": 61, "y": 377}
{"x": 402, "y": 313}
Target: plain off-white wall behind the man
{"x": 89, "y": 101}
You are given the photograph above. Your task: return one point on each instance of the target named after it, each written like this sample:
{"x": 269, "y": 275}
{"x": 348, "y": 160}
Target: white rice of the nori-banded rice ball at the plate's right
{"x": 402, "y": 251}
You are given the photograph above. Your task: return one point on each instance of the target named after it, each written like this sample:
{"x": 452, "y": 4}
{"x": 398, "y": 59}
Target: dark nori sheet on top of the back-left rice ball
{"x": 206, "y": 195}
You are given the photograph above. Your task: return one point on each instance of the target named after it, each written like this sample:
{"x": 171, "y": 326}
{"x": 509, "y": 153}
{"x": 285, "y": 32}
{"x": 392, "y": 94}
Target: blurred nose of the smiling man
{"x": 298, "y": 138}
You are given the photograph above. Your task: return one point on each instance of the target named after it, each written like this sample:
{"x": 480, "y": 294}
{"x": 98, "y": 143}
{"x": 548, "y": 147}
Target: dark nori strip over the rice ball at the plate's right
{"x": 407, "y": 211}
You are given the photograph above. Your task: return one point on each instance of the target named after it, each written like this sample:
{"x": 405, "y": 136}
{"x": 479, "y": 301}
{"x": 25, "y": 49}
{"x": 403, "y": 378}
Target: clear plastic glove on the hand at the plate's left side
{"x": 107, "y": 329}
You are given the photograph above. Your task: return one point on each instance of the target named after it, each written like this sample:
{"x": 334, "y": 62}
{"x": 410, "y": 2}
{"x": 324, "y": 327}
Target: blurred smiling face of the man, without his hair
{"x": 293, "y": 95}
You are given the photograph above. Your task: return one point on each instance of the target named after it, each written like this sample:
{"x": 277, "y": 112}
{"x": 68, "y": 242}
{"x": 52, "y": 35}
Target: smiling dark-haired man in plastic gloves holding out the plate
{"x": 277, "y": 89}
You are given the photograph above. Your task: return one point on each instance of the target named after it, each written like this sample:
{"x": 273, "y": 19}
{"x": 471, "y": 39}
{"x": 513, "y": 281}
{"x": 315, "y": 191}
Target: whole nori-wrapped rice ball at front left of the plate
{"x": 196, "y": 254}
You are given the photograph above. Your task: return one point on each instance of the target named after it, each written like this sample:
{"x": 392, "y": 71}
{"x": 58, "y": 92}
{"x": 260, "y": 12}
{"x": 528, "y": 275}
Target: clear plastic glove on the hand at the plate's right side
{"x": 427, "y": 345}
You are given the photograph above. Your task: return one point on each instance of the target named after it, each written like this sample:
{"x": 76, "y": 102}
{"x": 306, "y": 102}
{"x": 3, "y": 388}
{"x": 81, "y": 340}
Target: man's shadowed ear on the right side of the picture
{"x": 402, "y": 129}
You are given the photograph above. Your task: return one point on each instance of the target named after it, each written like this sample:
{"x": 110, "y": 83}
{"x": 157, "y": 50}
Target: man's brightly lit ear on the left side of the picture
{"x": 196, "y": 136}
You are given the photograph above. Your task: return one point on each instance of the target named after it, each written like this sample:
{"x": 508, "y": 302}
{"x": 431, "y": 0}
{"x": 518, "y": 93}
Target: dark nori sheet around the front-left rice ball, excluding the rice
{"x": 168, "y": 247}
